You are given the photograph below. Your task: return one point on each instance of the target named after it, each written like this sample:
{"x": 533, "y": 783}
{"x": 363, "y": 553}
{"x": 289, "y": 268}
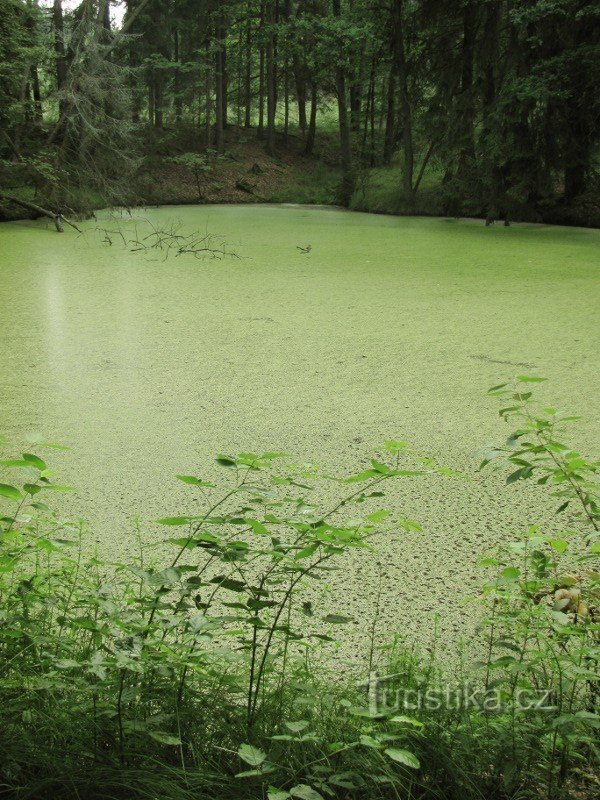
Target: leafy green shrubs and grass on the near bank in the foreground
{"x": 191, "y": 677}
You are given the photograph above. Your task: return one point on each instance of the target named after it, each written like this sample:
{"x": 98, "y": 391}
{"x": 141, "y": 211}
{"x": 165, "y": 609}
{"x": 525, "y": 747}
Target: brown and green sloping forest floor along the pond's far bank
{"x": 245, "y": 173}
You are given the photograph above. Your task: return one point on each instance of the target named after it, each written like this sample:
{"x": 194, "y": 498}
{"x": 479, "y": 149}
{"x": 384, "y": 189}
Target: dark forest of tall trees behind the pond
{"x": 491, "y": 105}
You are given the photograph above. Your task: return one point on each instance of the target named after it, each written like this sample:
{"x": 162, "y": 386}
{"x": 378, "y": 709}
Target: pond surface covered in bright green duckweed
{"x": 389, "y": 327}
